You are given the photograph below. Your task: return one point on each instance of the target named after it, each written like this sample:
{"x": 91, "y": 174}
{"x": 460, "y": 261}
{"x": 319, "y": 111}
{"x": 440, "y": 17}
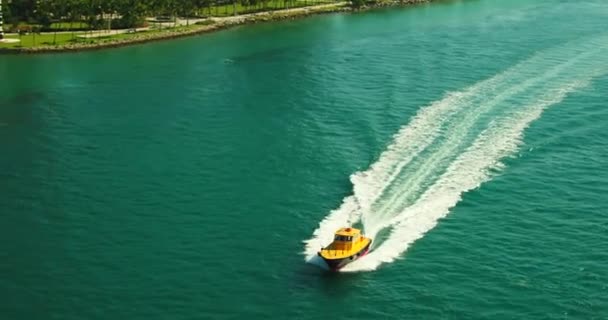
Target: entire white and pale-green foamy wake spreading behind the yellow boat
{"x": 453, "y": 146}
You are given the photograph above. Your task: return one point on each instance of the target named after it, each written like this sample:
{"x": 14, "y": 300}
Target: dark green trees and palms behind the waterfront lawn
{"x": 68, "y": 15}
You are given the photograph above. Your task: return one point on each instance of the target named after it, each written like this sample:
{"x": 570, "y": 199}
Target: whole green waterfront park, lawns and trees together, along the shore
{"x": 43, "y": 25}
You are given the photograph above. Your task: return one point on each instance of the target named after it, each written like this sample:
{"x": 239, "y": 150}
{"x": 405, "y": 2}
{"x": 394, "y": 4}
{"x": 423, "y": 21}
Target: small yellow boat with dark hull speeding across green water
{"x": 348, "y": 245}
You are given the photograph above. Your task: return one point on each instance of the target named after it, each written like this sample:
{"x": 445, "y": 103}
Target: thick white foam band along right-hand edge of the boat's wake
{"x": 469, "y": 171}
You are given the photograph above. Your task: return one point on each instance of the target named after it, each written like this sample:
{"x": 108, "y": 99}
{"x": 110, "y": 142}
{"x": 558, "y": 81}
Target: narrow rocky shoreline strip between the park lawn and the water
{"x": 219, "y": 24}
